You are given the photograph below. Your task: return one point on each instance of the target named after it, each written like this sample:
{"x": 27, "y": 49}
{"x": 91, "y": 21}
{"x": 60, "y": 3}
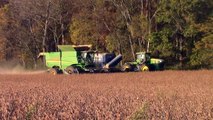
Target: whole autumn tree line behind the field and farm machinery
{"x": 179, "y": 31}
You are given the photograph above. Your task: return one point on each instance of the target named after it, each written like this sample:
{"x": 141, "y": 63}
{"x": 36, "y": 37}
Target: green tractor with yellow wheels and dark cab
{"x": 144, "y": 62}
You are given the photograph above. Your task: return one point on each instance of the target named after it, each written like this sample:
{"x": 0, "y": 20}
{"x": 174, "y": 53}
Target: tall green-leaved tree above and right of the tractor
{"x": 177, "y": 29}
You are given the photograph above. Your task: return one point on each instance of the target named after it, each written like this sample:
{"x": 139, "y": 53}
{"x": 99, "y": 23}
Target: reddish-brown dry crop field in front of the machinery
{"x": 150, "y": 95}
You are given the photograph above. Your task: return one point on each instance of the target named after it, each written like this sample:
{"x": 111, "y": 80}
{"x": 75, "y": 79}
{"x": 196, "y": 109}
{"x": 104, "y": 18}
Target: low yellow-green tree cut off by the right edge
{"x": 202, "y": 56}
